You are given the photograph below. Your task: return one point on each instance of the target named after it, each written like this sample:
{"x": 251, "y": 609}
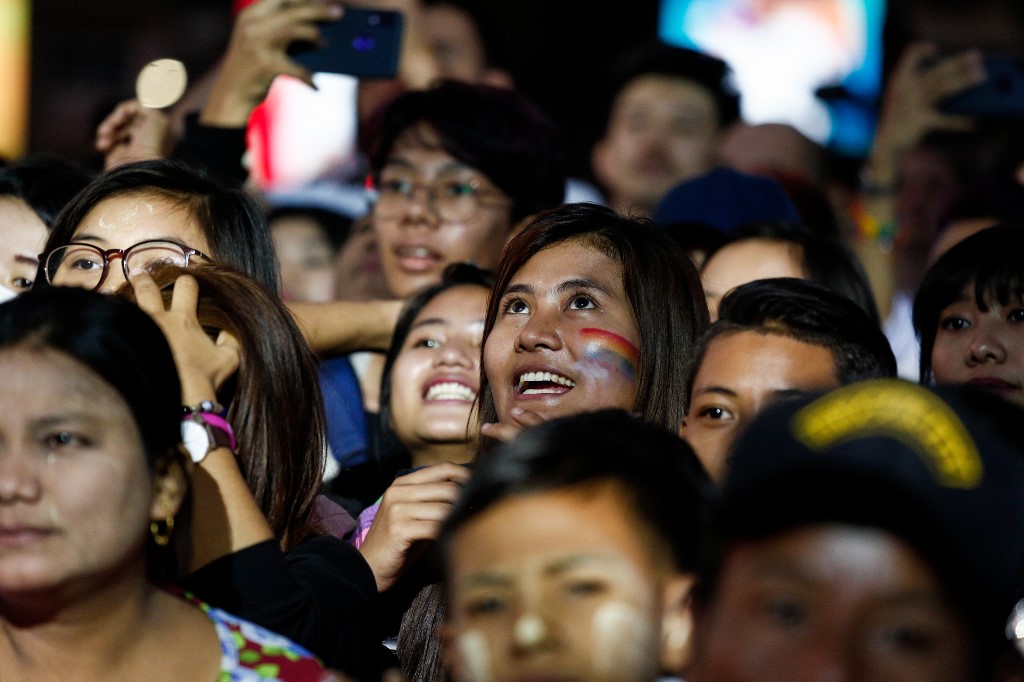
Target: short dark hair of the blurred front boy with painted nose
{"x": 661, "y": 478}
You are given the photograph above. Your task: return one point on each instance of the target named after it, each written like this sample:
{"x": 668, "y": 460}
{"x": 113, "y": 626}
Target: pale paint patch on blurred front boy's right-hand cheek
{"x": 622, "y": 640}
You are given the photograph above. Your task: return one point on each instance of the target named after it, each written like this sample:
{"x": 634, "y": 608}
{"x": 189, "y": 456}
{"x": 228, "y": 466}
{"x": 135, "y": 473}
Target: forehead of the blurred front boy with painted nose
{"x": 542, "y": 531}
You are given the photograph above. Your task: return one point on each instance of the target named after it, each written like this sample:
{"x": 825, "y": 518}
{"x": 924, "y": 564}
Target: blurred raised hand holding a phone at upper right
{"x": 911, "y": 106}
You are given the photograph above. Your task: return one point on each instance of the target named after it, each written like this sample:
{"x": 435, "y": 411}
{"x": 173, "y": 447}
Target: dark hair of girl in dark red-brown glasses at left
{"x": 230, "y": 219}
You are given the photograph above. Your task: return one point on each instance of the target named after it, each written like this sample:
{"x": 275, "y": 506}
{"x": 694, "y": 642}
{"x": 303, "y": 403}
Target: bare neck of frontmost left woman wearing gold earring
{"x": 44, "y": 635}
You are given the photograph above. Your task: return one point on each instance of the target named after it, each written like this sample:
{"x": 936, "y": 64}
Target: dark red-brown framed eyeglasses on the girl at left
{"x": 87, "y": 266}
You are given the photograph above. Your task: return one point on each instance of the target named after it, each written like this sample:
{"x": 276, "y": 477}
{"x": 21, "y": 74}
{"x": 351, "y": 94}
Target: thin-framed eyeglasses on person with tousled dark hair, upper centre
{"x": 452, "y": 200}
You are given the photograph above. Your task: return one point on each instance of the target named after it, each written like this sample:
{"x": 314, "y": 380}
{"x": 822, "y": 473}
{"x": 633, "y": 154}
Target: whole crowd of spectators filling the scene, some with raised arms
{"x": 730, "y": 419}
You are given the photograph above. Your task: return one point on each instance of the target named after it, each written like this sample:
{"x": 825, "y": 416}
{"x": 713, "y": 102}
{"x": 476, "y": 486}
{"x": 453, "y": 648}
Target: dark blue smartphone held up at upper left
{"x": 364, "y": 44}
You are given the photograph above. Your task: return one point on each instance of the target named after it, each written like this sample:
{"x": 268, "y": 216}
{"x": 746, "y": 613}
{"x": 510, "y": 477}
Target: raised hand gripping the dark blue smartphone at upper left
{"x": 258, "y": 54}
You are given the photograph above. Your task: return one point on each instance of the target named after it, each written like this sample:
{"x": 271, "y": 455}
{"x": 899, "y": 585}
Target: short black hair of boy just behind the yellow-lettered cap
{"x": 808, "y": 313}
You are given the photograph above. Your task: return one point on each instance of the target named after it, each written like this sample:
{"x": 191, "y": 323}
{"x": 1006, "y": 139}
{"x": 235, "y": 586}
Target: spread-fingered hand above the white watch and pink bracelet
{"x": 204, "y": 365}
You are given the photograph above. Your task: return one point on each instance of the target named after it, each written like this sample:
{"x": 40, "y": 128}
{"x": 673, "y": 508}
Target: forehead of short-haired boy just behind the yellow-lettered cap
{"x": 756, "y": 362}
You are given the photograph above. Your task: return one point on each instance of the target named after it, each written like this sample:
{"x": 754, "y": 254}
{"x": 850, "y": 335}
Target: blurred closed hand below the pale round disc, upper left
{"x": 133, "y": 133}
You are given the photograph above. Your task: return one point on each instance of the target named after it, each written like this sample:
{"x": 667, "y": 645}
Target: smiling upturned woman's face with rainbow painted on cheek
{"x": 566, "y": 340}
